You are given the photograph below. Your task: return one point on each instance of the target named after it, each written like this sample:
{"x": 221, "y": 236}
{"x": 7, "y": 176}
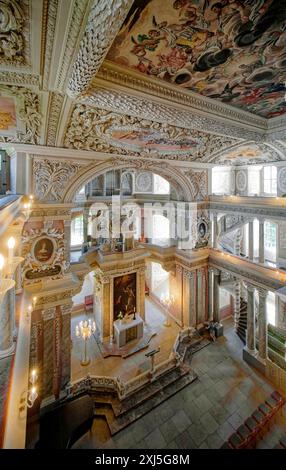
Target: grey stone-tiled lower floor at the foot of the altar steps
{"x": 203, "y": 414}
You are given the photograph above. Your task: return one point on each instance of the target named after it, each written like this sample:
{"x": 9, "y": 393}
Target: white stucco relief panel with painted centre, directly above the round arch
{"x": 100, "y": 130}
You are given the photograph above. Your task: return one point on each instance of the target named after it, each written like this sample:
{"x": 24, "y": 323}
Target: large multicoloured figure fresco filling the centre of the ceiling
{"x": 230, "y": 50}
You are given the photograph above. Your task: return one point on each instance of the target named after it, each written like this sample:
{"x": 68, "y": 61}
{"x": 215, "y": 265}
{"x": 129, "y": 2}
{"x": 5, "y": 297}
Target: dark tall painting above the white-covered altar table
{"x": 124, "y": 295}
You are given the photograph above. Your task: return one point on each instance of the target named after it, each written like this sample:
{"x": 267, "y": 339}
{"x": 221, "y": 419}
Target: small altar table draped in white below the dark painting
{"x": 128, "y": 330}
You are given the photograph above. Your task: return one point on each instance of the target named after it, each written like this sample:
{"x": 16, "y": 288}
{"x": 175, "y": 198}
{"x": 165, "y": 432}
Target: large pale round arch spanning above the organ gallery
{"x": 179, "y": 181}
